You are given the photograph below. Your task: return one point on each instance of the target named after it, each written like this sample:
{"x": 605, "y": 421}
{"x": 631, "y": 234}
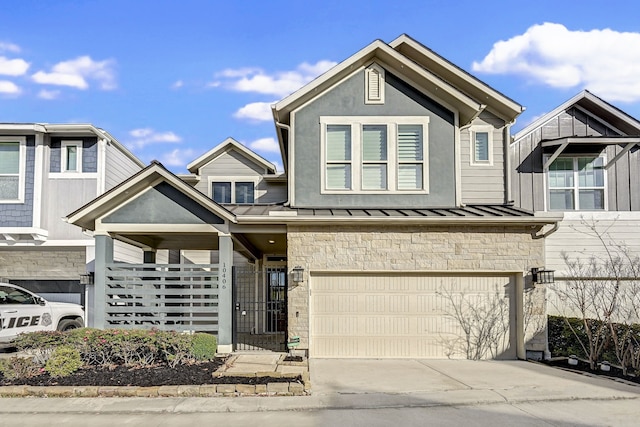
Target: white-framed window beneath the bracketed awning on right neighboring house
{"x": 577, "y": 183}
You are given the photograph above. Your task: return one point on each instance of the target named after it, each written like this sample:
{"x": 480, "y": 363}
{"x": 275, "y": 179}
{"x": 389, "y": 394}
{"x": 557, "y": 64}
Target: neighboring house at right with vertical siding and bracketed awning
{"x": 581, "y": 159}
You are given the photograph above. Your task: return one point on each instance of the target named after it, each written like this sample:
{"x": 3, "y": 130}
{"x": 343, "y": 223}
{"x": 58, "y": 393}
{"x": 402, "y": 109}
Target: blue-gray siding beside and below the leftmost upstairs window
{"x": 21, "y": 214}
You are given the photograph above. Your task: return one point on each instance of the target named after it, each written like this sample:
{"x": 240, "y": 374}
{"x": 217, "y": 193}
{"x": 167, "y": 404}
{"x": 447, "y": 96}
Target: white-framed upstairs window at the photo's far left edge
{"x": 12, "y": 169}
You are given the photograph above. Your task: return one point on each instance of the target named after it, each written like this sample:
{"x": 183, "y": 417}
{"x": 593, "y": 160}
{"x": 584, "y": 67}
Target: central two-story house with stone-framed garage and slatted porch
{"x": 392, "y": 215}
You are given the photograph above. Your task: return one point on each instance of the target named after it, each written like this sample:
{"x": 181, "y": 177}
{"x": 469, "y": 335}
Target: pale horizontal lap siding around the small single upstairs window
{"x": 483, "y": 183}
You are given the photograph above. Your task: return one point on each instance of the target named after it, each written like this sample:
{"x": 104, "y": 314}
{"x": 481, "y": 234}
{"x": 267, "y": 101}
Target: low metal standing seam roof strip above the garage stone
{"x": 470, "y": 211}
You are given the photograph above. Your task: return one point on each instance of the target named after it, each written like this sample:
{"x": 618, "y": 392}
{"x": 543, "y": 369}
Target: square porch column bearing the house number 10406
{"x": 225, "y": 299}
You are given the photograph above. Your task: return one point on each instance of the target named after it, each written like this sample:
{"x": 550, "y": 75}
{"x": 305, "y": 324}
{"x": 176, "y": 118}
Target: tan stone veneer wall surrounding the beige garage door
{"x": 453, "y": 248}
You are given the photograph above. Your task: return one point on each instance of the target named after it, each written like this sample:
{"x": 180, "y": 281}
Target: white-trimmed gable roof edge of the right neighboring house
{"x": 596, "y": 106}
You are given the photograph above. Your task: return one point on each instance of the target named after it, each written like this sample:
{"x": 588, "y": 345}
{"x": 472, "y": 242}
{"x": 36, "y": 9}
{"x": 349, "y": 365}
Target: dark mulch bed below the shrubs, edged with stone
{"x": 192, "y": 374}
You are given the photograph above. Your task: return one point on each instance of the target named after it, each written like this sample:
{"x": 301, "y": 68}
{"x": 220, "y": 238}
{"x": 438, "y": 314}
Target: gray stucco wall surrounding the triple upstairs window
{"x": 347, "y": 99}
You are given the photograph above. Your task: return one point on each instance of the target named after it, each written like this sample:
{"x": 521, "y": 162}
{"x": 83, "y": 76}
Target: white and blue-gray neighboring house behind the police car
{"x": 46, "y": 170}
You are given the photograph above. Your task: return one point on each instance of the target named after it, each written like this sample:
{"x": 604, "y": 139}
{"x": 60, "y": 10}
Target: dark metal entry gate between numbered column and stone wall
{"x": 260, "y": 309}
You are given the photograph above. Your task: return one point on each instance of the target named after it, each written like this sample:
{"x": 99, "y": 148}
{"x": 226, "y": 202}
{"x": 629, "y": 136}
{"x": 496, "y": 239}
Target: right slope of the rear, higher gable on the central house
{"x": 503, "y": 106}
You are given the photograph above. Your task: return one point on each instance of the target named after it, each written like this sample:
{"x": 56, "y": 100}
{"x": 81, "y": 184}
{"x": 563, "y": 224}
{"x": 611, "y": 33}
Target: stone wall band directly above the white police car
{"x": 43, "y": 264}
